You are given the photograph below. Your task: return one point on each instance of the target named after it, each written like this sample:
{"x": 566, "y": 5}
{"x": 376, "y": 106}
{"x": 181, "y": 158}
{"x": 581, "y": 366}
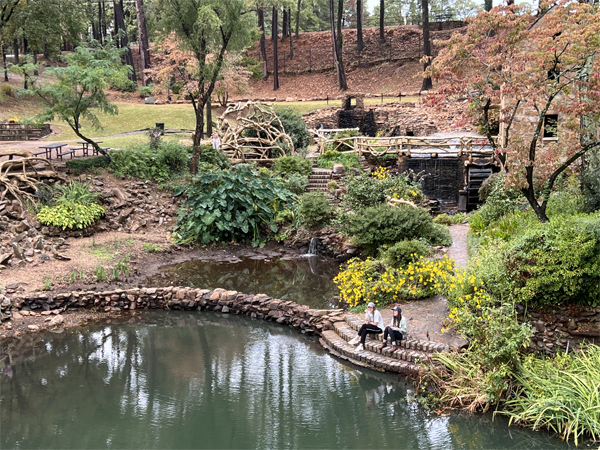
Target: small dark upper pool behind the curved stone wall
{"x": 307, "y": 281}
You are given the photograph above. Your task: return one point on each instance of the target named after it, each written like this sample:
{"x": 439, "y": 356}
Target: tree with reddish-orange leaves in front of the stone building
{"x": 541, "y": 70}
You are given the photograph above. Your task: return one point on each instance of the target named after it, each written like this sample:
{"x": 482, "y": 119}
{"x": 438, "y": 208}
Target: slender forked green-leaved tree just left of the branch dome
{"x": 207, "y": 30}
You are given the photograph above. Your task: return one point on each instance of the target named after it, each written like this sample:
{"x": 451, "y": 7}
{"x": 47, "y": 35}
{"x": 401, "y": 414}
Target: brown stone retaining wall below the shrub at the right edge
{"x": 555, "y": 328}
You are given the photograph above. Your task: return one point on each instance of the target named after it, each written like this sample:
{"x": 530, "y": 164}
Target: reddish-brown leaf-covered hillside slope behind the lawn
{"x": 387, "y": 68}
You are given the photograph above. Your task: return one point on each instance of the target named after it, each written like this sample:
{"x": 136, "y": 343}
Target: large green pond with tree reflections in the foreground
{"x": 204, "y": 380}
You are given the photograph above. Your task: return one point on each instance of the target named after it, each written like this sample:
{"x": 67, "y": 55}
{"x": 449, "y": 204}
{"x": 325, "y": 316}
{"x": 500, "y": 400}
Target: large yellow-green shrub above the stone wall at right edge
{"x": 550, "y": 264}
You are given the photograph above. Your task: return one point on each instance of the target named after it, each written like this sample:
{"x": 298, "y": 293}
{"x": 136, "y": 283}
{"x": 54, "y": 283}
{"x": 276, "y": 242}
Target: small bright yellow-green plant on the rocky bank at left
{"x": 70, "y": 215}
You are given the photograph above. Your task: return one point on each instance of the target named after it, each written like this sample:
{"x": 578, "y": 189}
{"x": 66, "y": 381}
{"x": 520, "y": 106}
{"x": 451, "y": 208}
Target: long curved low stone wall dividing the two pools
{"x": 301, "y": 317}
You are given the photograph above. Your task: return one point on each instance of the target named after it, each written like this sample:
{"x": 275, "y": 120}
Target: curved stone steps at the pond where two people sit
{"x": 406, "y": 360}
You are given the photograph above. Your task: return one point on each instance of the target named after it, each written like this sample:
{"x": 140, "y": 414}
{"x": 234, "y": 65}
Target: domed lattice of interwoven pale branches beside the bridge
{"x": 252, "y": 131}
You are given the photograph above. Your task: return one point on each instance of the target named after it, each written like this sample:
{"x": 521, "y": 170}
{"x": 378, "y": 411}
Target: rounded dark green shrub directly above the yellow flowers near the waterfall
{"x": 385, "y": 225}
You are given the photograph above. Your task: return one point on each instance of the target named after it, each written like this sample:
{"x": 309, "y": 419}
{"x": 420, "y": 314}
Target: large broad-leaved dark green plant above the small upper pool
{"x": 230, "y": 206}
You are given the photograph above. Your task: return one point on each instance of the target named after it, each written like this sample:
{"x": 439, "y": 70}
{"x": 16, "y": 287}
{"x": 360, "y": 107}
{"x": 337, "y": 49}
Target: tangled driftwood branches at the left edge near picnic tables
{"x": 20, "y": 177}
